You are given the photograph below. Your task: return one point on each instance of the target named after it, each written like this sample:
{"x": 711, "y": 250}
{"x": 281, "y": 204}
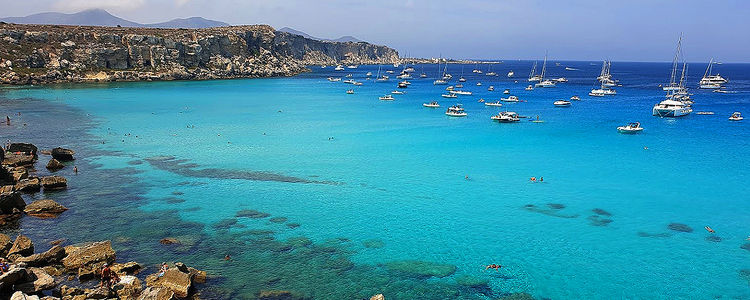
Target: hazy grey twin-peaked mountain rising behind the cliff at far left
{"x": 100, "y": 17}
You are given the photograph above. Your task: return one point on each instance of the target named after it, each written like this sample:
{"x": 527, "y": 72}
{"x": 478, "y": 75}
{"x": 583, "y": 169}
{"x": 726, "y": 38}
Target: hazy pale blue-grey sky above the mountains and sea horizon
{"x": 630, "y": 30}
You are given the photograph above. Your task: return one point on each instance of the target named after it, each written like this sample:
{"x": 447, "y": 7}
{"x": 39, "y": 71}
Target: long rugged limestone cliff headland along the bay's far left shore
{"x": 34, "y": 54}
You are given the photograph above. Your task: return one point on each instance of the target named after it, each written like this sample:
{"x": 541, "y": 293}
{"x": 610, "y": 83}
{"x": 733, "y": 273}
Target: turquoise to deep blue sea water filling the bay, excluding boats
{"x": 338, "y": 196}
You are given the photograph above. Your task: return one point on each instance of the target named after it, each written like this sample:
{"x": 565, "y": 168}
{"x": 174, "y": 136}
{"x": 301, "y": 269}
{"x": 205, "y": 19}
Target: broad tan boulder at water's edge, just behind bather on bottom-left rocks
{"x": 89, "y": 255}
